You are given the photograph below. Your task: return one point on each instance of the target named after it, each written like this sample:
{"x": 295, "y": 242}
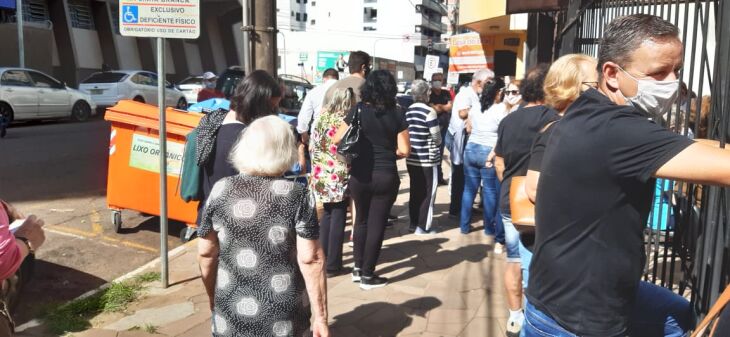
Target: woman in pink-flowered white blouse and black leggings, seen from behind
{"x": 329, "y": 178}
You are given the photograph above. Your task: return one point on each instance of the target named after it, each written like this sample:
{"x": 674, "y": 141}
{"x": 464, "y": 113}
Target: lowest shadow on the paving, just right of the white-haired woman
{"x": 382, "y": 319}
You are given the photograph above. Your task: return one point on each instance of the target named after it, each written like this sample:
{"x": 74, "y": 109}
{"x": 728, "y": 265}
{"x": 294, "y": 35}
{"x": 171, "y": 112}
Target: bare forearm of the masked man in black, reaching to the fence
{"x": 700, "y": 163}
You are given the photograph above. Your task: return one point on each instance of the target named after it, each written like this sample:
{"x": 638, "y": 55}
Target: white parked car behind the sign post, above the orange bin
{"x": 109, "y": 87}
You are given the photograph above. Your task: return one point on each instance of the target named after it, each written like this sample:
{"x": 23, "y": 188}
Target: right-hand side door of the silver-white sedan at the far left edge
{"x": 53, "y": 99}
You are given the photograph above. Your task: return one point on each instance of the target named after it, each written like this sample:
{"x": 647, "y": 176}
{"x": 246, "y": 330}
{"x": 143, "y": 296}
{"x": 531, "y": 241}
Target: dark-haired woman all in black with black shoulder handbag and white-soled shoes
{"x": 373, "y": 136}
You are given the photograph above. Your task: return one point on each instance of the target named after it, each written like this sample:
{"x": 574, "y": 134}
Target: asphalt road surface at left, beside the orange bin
{"x": 57, "y": 170}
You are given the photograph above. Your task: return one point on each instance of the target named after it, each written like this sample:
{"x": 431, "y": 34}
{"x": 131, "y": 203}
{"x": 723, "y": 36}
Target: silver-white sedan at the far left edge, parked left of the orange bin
{"x": 27, "y": 94}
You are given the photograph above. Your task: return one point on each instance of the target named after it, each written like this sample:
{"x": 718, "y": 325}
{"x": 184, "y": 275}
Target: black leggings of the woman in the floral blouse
{"x": 332, "y": 233}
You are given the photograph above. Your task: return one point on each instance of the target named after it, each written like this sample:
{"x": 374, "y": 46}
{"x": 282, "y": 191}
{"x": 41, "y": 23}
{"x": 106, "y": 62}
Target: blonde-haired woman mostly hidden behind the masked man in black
{"x": 567, "y": 78}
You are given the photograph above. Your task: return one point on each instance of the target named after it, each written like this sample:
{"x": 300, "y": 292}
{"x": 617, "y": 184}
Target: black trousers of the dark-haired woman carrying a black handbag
{"x": 373, "y": 200}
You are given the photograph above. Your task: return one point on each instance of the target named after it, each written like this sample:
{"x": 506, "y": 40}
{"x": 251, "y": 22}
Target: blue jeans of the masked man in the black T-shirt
{"x": 656, "y": 312}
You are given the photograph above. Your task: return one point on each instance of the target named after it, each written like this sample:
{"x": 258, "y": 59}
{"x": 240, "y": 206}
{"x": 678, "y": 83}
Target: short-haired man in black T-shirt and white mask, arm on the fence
{"x": 595, "y": 193}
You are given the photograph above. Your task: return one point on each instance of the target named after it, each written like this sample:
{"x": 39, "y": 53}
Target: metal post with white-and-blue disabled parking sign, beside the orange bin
{"x": 176, "y": 19}
